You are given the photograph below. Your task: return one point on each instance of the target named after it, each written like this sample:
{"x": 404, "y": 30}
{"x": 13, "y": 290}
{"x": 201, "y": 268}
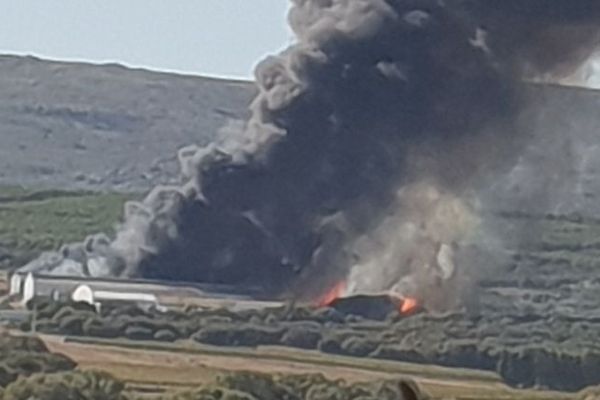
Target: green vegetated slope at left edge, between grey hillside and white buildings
{"x": 32, "y": 221}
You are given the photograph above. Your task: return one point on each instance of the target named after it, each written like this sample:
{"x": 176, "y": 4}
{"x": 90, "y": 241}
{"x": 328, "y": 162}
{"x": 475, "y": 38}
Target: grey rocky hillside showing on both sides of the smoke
{"x": 82, "y": 126}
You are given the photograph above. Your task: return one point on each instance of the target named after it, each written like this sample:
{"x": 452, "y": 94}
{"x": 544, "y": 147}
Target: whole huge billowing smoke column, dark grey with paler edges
{"x": 368, "y": 142}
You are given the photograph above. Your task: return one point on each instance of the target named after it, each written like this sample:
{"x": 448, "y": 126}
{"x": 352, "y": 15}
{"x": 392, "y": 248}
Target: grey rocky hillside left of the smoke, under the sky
{"x": 105, "y": 127}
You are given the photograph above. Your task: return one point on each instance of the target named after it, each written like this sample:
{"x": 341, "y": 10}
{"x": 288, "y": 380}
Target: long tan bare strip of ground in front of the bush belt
{"x": 181, "y": 369}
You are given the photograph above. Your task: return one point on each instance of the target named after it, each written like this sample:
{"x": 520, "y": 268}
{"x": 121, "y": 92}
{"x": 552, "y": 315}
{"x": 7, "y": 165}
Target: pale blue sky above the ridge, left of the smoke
{"x": 214, "y": 37}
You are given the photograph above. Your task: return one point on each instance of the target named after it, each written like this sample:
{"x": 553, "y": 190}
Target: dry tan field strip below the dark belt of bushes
{"x": 154, "y": 367}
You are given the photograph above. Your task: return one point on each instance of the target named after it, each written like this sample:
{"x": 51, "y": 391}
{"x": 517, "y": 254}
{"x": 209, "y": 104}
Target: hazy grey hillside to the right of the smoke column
{"x": 558, "y": 169}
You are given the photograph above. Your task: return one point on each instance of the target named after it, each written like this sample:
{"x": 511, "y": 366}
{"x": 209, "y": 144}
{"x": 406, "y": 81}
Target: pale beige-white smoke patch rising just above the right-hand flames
{"x": 412, "y": 252}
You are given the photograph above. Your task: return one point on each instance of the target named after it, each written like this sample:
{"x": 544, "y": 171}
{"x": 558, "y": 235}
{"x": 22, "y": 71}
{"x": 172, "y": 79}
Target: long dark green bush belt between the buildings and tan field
{"x": 451, "y": 340}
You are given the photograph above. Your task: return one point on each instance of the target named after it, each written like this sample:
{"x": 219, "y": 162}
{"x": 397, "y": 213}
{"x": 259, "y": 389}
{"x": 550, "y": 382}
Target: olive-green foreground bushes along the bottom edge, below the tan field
{"x": 29, "y": 371}
